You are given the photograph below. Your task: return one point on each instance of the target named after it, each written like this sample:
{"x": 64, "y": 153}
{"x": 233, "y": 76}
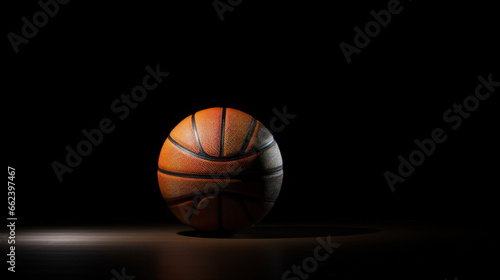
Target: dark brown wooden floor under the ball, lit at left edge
{"x": 263, "y": 252}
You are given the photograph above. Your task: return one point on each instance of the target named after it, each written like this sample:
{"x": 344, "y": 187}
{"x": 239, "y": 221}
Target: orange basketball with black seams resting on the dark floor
{"x": 220, "y": 170}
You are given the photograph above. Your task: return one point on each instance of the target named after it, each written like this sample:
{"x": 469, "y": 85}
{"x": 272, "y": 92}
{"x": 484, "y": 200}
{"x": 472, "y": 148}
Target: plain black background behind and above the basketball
{"x": 352, "y": 120}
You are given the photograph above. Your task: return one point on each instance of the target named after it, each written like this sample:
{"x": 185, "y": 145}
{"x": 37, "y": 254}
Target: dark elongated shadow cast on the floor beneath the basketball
{"x": 282, "y": 232}
